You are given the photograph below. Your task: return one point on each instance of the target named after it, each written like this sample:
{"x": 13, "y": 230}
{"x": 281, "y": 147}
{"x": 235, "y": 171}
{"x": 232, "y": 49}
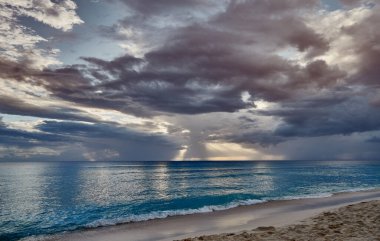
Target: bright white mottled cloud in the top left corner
{"x": 20, "y": 43}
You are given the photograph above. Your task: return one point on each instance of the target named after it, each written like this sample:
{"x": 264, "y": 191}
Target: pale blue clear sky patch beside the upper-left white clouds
{"x": 84, "y": 39}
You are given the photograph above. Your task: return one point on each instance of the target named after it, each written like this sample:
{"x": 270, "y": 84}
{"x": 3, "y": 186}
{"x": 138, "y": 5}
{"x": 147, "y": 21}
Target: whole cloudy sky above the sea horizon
{"x": 131, "y": 80}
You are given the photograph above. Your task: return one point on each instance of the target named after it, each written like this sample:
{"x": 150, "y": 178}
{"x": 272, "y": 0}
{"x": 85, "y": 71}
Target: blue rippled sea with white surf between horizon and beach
{"x": 45, "y": 198}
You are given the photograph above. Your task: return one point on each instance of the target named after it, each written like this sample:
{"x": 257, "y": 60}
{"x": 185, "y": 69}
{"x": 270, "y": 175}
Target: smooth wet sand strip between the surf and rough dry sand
{"x": 269, "y": 213}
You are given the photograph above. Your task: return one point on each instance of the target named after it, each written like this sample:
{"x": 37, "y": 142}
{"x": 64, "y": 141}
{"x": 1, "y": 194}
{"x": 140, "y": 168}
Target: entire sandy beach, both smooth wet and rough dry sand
{"x": 324, "y": 218}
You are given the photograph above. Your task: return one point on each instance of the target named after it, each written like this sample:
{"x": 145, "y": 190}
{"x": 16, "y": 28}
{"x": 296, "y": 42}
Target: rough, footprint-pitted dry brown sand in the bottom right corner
{"x": 353, "y": 222}
